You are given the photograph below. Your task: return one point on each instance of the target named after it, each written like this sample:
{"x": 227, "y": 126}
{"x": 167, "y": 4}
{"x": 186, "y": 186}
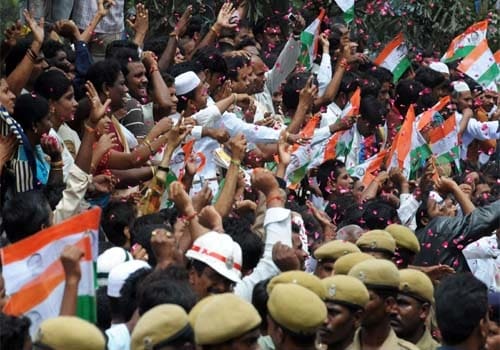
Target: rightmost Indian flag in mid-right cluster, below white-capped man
{"x": 444, "y": 142}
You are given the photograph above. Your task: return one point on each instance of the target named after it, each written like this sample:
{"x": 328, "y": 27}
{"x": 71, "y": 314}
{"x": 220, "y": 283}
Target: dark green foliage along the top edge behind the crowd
{"x": 428, "y": 24}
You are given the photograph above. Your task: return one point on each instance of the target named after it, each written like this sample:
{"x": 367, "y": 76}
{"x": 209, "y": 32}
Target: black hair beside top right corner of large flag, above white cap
{"x": 116, "y": 216}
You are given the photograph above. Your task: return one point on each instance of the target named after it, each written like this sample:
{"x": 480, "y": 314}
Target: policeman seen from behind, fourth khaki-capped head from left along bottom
{"x": 294, "y": 316}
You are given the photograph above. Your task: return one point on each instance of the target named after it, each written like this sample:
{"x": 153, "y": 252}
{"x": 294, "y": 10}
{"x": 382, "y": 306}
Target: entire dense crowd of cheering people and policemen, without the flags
{"x": 214, "y": 233}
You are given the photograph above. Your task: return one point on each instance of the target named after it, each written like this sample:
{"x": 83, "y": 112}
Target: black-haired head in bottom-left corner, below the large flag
{"x": 14, "y": 331}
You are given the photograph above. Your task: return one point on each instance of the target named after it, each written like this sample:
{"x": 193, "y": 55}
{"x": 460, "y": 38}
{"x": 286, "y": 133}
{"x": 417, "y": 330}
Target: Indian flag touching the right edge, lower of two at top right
{"x": 480, "y": 65}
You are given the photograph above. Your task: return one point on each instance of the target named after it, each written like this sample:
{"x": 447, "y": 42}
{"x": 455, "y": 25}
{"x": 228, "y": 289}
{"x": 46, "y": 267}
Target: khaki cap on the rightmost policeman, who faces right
{"x": 417, "y": 284}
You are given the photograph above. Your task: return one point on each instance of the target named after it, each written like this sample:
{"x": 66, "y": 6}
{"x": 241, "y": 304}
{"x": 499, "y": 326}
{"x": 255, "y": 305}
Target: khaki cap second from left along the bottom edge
{"x": 158, "y": 325}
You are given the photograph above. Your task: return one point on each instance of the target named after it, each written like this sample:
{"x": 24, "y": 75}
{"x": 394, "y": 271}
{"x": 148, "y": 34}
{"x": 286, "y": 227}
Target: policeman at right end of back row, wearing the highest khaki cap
{"x": 407, "y": 244}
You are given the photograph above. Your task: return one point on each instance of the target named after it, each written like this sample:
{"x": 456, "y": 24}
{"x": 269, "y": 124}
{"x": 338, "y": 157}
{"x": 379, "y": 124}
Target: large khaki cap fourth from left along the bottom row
{"x": 296, "y": 308}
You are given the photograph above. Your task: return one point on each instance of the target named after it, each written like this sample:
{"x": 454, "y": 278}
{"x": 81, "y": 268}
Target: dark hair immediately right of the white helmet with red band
{"x": 251, "y": 244}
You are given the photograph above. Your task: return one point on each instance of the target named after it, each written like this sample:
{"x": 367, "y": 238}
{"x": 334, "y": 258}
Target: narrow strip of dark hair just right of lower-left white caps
{"x": 125, "y": 305}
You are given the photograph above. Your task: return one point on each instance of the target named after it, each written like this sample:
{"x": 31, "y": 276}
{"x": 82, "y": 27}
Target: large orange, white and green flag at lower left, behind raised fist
{"x": 34, "y": 275}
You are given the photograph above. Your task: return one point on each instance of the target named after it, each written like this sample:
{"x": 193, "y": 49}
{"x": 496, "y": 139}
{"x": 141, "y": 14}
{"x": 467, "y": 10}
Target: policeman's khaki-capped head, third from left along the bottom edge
{"x": 227, "y": 322}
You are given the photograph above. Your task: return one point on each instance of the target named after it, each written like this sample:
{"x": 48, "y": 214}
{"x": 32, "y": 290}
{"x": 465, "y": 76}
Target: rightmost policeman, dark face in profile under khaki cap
{"x": 416, "y": 295}
